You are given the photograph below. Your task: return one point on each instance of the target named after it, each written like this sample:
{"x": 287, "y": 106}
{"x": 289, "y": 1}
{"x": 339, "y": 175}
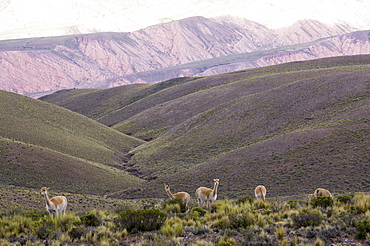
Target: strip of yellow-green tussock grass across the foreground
{"x": 231, "y": 223}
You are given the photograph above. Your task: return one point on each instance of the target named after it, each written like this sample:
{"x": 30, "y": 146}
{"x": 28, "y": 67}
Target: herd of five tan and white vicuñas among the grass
{"x": 205, "y": 197}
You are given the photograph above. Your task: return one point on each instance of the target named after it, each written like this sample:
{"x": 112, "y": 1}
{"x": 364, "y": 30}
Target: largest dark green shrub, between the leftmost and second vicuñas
{"x": 141, "y": 220}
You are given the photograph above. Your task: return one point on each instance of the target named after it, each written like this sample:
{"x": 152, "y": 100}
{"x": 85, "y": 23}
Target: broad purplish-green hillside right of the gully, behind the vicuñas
{"x": 301, "y": 125}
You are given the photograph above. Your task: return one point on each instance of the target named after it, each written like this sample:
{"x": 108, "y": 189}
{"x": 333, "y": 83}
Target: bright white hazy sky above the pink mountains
{"x": 55, "y": 17}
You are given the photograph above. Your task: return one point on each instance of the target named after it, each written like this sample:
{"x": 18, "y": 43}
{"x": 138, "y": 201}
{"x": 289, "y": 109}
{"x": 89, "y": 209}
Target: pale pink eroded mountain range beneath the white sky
{"x": 190, "y": 47}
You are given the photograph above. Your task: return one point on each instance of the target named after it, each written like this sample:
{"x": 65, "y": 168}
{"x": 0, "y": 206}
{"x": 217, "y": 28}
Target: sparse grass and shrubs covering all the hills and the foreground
{"x": 292, "y": 128}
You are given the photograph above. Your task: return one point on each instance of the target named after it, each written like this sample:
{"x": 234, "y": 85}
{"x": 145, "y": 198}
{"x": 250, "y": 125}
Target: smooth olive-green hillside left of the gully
{"x": 45, "y": 145}
